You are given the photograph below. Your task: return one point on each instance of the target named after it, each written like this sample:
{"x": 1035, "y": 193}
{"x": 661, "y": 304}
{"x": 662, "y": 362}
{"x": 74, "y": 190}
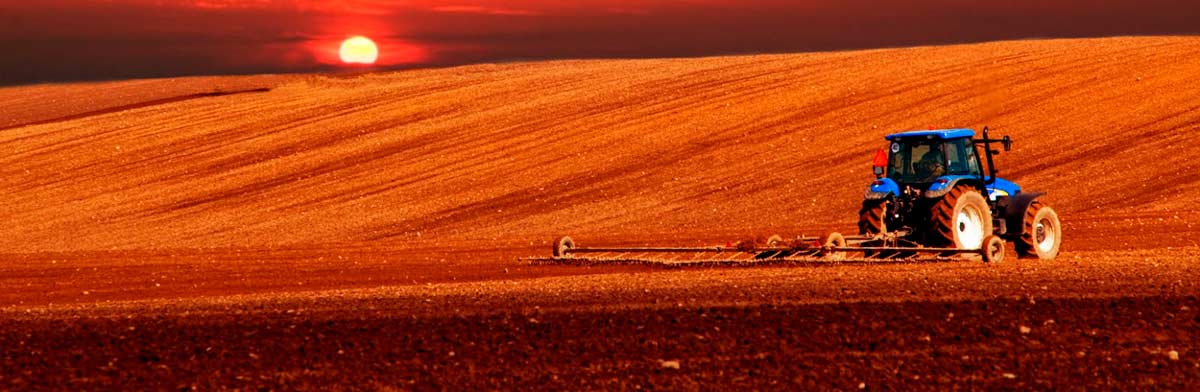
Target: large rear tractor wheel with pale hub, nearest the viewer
{"x": 962, "y": 220}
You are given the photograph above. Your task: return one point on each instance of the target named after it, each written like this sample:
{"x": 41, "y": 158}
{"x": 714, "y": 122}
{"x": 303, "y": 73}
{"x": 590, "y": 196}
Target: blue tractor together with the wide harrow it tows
{"x": 932, "y": 201}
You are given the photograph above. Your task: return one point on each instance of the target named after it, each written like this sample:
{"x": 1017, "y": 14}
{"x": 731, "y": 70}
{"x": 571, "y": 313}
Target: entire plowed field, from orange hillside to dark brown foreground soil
{"x": 363, "y": 231}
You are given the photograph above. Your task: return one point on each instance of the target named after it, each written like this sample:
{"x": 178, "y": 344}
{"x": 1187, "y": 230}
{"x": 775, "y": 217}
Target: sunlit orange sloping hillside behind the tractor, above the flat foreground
{"x": 523, "y": 153}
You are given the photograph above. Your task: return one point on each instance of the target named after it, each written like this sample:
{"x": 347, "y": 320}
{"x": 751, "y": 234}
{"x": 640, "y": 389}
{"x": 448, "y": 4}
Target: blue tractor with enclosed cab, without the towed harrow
{"x": 932, "y": 191}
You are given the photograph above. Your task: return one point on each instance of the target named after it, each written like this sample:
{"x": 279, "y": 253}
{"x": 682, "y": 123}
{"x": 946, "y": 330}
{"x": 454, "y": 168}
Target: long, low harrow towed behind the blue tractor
{"x": 830, "y": 249}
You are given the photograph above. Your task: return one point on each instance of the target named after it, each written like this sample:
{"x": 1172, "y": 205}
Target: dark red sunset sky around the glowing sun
{"x": 71, "y": 40}
